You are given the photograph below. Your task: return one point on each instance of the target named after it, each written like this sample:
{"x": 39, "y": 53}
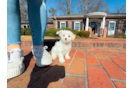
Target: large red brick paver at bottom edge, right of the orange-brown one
{"x": 97, "y": 78}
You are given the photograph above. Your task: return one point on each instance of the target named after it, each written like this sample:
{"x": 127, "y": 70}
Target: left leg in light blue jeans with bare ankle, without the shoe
{"x": 13, "y": 24}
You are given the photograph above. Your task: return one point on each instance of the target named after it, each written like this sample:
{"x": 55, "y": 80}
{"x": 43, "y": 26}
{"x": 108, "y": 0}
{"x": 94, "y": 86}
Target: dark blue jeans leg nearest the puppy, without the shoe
{"x": 37, "y": 13}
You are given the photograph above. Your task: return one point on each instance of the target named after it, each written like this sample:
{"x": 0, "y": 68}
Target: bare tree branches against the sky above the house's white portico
{"x": 86, "y": 6}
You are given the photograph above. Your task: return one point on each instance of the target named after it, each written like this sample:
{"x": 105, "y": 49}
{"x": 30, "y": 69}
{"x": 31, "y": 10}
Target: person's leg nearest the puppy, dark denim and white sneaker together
{"x": 37, "y": 13}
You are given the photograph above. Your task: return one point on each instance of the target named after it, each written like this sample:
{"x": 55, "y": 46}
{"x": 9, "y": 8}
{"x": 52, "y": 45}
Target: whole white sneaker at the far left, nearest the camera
{"x": 15, "y": 65}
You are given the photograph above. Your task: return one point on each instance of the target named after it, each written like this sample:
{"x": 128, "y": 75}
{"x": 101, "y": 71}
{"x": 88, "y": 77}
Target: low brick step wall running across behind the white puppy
{"x": 86, "y": 44}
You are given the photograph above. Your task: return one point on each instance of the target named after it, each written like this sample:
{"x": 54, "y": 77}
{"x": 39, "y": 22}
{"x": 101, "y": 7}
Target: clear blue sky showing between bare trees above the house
{"x": 112, "y": 4}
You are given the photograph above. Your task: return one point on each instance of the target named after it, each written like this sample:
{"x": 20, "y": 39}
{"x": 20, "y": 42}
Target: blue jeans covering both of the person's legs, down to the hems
{"x": 37, "y": 14}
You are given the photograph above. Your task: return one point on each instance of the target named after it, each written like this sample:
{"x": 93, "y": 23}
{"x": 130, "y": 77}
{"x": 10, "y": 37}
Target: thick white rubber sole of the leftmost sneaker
{"x": 13, "y": 72}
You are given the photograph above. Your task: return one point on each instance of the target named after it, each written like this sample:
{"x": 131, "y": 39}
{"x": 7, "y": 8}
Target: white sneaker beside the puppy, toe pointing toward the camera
{"x": 42, "y": 56}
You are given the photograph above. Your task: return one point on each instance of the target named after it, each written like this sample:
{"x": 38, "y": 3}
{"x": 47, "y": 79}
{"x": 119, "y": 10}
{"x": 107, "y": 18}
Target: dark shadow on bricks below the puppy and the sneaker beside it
{"x": 53, "y": 74}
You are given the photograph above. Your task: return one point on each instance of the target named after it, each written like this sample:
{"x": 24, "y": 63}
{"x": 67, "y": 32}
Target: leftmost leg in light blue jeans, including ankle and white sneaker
{"x": 15, "y": 65}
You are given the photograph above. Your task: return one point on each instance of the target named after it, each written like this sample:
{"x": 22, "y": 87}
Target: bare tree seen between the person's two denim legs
{"x": 23, "y": 10}
